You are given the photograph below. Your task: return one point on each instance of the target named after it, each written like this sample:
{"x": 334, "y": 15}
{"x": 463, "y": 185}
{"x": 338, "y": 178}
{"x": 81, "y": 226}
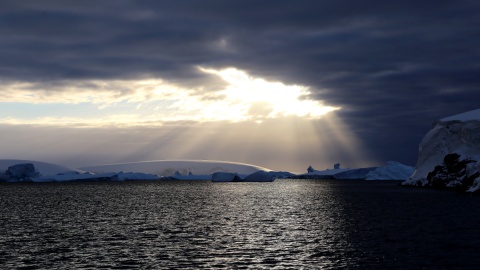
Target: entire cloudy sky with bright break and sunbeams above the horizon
{"x": 280, "y": 84}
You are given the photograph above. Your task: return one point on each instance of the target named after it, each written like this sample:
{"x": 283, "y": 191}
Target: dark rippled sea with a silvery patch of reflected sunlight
{"x": 287, "y": 224}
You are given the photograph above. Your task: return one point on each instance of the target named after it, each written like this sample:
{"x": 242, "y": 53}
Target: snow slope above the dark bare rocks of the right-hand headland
{"x": 458, "y": 134}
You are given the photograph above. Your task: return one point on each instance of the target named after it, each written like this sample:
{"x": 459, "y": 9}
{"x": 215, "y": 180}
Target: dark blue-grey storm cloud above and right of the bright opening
{"x": 394, "y": 66}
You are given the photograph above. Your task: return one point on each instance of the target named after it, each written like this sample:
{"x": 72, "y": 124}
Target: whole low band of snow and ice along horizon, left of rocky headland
{"x": 217, "y": 171}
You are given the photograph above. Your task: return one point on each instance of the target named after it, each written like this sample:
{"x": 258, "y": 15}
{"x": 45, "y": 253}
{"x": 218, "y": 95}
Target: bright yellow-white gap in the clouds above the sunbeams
{"x": 155, "y": 101}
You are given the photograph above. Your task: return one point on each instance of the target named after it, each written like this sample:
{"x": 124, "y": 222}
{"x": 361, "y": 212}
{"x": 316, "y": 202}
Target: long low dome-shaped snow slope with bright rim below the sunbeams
{"x": 184, "y": 167}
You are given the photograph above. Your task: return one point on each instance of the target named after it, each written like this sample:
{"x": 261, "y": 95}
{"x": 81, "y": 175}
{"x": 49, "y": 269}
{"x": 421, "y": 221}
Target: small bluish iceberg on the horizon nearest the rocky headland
{"x": 391, "y": 171}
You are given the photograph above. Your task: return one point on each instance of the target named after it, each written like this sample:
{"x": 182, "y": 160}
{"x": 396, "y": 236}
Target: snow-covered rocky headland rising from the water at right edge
{"x": 449, "y": 153}
